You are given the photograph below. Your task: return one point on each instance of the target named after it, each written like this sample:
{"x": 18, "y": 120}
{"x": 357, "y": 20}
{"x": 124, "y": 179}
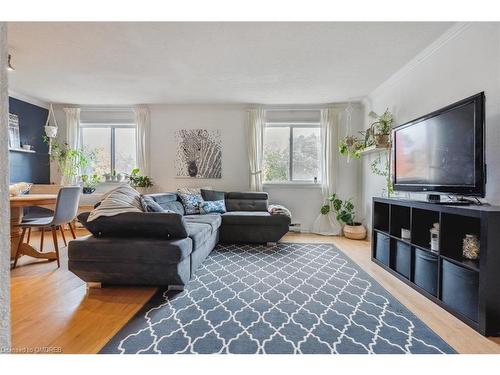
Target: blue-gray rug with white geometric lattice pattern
{"x": 290, "y": 298}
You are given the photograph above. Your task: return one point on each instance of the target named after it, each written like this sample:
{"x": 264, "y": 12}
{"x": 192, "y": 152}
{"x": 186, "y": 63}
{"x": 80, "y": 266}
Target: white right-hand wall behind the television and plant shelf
{"x": 463, "y": 62}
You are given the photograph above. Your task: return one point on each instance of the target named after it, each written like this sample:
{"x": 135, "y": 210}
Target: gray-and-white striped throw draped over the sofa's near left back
{"x": 120, "y": 200}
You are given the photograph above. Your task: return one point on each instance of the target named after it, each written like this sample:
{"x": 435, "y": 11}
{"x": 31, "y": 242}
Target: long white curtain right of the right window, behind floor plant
{"x": 328, "y": 224}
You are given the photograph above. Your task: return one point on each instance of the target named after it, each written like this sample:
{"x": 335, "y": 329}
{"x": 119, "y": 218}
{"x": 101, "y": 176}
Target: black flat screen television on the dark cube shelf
{"x": 442, "y": 152}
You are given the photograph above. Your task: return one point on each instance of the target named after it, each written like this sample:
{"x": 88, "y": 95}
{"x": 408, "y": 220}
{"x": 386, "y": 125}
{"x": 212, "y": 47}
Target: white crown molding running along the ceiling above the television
{"x": 422, "y": 56}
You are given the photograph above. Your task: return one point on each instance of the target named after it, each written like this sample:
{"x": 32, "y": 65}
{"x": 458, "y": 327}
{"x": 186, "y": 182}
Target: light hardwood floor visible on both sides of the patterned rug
{"x": 52, "y": 308}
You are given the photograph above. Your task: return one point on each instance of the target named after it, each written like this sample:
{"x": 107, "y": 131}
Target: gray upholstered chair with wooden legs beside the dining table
{"x": 65, "y": 212}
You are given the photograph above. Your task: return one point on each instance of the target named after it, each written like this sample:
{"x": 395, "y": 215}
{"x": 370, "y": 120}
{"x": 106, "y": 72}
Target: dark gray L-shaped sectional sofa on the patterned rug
{"x": 165, "y": 249}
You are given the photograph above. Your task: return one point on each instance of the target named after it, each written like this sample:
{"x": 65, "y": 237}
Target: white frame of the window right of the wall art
{"x": 293, "y": 125}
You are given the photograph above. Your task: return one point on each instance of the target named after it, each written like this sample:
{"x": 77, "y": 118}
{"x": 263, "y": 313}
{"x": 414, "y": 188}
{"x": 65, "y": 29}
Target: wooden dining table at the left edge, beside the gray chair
{"x": 17, "y": 205}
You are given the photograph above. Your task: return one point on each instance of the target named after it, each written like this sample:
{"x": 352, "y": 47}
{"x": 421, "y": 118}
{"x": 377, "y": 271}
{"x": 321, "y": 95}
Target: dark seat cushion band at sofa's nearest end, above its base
{"x": 144, "y": 251}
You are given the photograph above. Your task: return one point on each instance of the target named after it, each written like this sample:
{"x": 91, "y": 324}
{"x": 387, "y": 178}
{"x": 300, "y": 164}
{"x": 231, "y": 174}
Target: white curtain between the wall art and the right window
{"x": 256, "y": 120}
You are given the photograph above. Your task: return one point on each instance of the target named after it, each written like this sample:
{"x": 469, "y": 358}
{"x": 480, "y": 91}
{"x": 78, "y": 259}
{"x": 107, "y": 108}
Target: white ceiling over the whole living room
{"x": 270, "y": 63}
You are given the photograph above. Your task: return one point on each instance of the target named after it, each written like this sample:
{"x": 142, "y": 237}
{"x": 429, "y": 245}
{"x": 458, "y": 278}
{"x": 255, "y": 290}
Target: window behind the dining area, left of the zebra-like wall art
{"x": 114, "y": 146}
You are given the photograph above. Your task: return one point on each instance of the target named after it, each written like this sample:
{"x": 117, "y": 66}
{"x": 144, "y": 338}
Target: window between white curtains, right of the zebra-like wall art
{"x": 292, "y": 152}
